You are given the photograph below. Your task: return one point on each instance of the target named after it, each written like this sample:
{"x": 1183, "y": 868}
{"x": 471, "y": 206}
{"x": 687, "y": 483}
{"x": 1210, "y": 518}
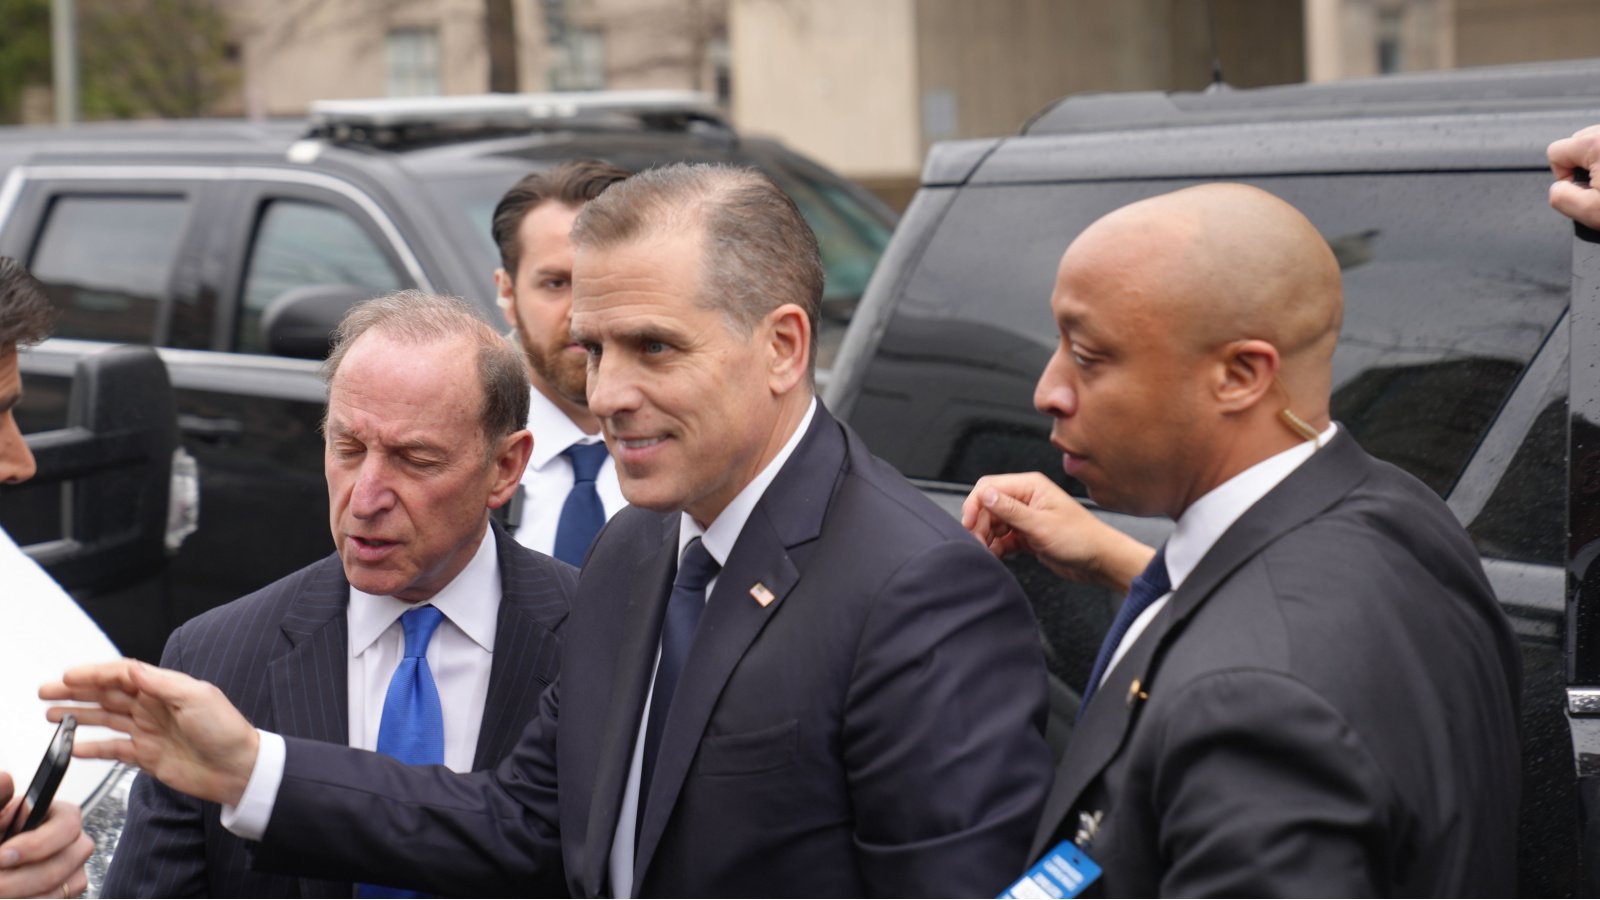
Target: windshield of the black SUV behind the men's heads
{"x": 850, "y": 233}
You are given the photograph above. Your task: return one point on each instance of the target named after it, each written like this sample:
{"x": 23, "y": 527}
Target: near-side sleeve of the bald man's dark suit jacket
{"x": 1266, "y": 792}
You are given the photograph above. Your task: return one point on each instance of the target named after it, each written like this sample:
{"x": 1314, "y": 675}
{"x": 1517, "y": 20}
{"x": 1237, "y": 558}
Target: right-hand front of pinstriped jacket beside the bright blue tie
{"x": 527, "y": 654}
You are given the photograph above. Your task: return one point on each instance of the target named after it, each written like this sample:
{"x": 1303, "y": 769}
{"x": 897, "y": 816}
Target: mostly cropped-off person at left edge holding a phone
{"x": 50, "y": 859}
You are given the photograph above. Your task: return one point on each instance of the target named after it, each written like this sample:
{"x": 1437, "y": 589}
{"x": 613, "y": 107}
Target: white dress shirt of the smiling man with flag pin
{"x": 719, "y": 540}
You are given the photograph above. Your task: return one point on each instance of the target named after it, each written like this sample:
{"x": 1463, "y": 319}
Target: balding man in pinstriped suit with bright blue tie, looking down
{"x": 425, "y": 436}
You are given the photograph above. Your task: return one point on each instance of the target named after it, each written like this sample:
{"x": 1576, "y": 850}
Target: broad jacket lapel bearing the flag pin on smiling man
{"x": 788, "y": 516}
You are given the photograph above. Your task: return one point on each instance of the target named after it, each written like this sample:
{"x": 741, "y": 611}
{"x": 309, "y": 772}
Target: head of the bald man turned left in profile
{"x": 1188, "y": 321}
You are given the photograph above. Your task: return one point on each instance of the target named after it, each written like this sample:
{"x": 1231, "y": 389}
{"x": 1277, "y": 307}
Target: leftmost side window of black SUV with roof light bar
{"x": 108, "y": 262}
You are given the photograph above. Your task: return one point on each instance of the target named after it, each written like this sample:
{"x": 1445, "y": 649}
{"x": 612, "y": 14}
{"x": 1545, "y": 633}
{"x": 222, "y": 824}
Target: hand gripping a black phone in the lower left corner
{"x": 47, "y": 861}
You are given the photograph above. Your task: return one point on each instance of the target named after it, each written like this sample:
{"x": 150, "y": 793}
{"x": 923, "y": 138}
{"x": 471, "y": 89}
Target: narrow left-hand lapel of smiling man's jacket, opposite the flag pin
{"x": 647, "y": 589}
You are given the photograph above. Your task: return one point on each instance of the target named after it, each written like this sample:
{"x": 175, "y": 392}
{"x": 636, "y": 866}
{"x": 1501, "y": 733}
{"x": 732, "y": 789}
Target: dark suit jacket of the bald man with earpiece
{"x": 1326, "y": 707}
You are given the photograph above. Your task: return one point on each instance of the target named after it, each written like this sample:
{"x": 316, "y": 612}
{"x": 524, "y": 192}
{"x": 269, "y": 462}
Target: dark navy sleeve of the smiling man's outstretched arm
{"x": 358, "y": 816}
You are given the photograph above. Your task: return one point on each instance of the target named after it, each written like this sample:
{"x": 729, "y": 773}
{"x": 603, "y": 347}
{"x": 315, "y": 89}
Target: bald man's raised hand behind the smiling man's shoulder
{"x": 1028, "y": 513}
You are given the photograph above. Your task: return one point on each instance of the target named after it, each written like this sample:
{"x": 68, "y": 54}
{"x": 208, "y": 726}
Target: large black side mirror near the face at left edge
{"x": 118, "y": 457}
